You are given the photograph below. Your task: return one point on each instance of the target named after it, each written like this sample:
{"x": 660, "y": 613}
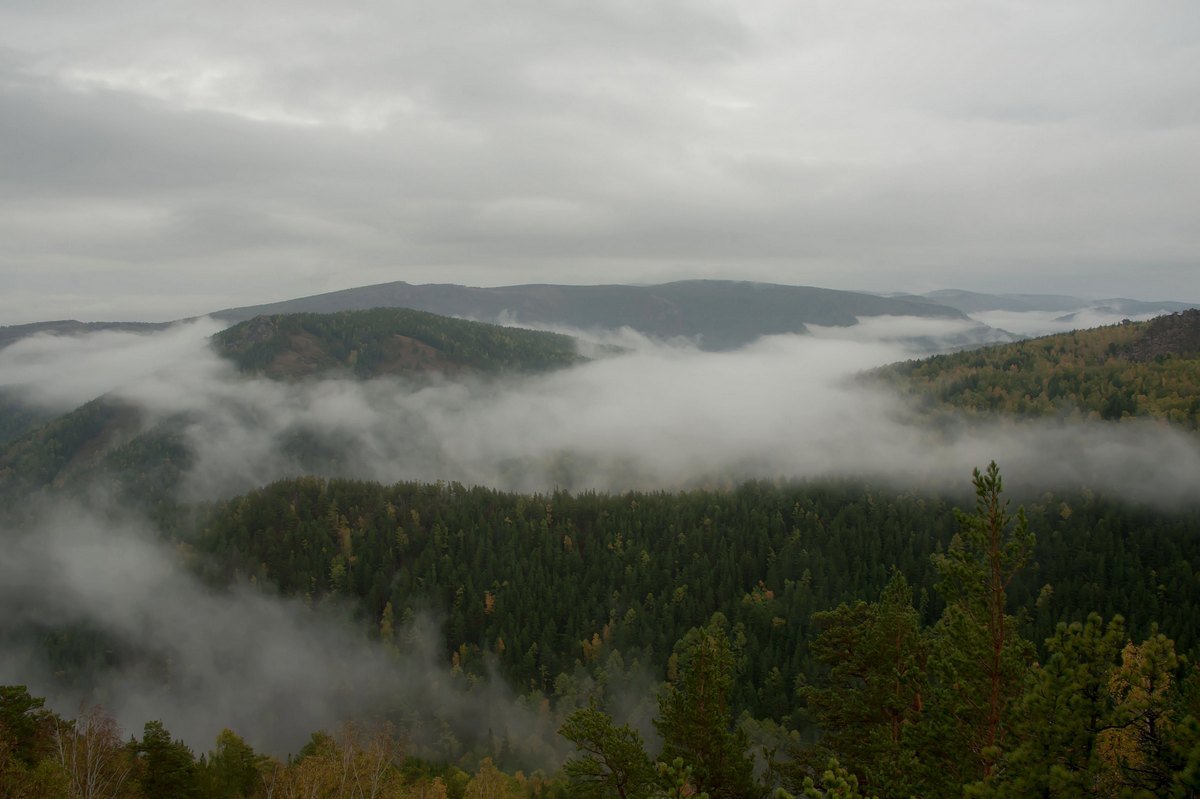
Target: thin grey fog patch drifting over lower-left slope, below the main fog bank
{"x": 205, "y": 659}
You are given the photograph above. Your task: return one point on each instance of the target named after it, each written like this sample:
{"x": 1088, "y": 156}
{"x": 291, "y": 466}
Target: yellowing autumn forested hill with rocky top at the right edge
{"x": 1131, "y": 370}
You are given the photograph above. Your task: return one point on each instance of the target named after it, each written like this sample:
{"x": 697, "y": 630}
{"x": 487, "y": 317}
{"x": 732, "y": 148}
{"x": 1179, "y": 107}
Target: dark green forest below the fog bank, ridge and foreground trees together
{"x": 809, "y": 640}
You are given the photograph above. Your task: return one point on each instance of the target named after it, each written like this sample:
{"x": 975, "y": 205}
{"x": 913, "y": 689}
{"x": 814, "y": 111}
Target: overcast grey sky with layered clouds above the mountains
{"x": 167, "y": 159}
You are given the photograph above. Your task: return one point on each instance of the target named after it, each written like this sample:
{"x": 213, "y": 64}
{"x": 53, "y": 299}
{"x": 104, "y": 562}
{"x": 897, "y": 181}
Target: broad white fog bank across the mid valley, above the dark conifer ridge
{"x": 656, "y": 417}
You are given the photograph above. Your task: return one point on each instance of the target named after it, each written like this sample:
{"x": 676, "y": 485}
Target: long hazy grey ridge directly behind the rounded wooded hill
{"x": 722, "y": 315}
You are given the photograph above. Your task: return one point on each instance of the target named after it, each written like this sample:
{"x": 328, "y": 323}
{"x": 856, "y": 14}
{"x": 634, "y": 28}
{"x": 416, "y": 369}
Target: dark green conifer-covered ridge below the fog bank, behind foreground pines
{"x": 541, "y": 584}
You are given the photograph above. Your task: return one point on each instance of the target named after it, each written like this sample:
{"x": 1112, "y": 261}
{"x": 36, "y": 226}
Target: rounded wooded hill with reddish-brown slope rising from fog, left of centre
{"x": 388, "y": 341}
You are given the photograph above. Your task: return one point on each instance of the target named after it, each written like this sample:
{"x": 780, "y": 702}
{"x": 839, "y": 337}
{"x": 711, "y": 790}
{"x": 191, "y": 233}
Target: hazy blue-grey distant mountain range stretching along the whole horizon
{"x": 717, "y": 315}
